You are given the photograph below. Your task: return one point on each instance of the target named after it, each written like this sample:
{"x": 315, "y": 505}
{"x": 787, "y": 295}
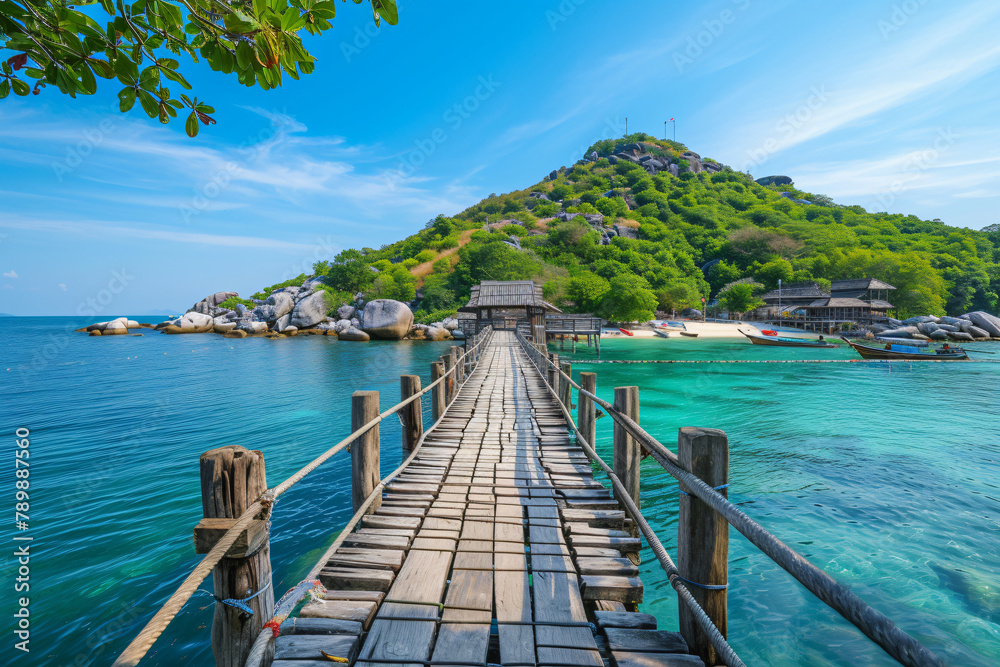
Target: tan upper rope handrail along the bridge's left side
{"x": 139, "y": 646}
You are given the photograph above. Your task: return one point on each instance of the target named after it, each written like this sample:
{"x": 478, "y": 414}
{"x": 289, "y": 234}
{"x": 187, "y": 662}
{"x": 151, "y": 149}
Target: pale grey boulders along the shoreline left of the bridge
{"x": 293, "y": 311}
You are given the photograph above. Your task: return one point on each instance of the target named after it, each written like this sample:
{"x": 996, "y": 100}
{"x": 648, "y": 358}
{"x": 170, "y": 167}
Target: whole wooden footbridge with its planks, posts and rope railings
{"x": 492, "y": 544}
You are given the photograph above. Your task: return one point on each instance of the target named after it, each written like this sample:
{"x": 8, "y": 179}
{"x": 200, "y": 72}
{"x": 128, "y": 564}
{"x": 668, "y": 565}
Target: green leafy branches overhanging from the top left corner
{"x": 56, "y": 44}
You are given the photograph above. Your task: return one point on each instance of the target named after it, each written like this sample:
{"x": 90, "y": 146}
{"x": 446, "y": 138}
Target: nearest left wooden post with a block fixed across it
{"x": 232, "y": 479}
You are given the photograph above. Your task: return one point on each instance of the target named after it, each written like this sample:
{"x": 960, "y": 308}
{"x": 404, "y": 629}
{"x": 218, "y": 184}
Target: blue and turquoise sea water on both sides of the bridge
{"x": 887, "y": 477}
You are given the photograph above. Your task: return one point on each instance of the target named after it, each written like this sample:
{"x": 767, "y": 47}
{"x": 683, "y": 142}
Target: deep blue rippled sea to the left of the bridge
{"x": 117, "y": 426}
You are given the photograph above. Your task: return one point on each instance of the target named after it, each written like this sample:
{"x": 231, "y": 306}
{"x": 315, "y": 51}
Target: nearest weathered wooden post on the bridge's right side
{"x": 703, "y": 535}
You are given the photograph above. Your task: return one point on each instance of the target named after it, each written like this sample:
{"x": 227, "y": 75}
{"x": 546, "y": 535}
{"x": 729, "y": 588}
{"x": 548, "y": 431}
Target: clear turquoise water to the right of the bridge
{"x": 887, "y": 477}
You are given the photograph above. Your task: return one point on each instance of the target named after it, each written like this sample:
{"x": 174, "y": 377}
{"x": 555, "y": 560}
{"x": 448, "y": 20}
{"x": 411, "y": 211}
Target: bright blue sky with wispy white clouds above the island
{"x": 890, "y": 105}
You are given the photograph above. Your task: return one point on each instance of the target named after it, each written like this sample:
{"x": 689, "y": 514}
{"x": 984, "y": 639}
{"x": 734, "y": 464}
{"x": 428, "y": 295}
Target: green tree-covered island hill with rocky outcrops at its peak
{"x": 622, "y": 235}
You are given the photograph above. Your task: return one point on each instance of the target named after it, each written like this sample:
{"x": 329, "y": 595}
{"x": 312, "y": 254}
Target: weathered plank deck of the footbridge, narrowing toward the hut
{"x": 496, "y": 523}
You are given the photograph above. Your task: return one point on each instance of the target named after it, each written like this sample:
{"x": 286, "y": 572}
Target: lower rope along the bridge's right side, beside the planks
{"x": 719, "y": 643}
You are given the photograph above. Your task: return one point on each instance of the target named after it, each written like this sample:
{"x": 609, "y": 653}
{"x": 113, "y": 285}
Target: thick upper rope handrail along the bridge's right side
{"x": 875, "y": 625}
